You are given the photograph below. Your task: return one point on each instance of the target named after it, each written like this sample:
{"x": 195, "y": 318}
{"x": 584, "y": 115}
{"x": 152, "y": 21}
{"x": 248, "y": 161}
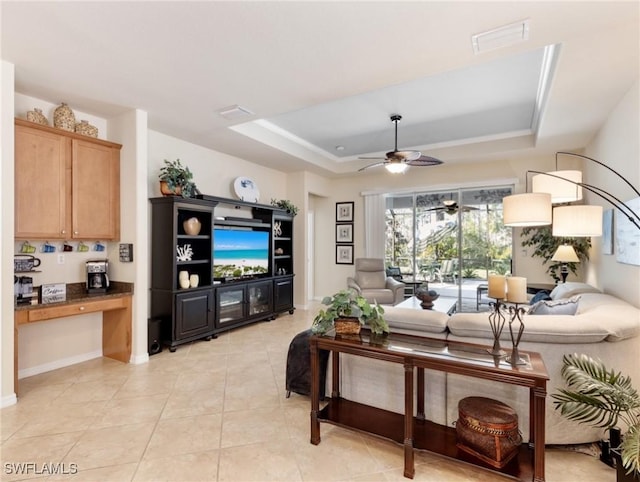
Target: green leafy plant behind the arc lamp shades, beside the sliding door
{"x": 545, "y": 244}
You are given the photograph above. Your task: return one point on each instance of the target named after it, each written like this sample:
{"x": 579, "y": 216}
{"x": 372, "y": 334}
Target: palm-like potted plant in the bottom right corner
{"x": 602, "y": 397}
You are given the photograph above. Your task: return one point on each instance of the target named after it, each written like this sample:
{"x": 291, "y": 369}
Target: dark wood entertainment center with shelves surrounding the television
{"x": 215, "y": 305}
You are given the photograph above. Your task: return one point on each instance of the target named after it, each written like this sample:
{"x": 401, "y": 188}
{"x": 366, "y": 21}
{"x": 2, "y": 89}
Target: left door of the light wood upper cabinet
{"x": 42, "y": 184}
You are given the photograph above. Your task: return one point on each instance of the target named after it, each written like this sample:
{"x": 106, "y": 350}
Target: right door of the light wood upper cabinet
{"x": 95, "y": 190}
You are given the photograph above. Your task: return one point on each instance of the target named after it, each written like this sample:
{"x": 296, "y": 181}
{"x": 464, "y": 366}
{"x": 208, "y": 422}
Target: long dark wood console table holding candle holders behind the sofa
{"x": 417, "y": 432}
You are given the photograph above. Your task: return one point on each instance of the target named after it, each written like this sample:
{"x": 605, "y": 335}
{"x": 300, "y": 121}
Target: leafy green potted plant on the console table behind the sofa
{"x": 348, "y": 304}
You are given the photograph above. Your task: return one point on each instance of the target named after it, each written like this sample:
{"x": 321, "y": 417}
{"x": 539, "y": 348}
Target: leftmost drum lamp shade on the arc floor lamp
{"x": 530, "y": 209}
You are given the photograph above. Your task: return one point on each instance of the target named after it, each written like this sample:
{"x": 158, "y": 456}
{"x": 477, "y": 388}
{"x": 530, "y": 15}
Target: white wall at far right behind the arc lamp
{"x": 617, "y": 144}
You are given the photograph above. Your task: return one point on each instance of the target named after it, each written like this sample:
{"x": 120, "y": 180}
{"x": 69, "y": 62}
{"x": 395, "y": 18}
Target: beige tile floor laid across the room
{"x": 211, "y": 411}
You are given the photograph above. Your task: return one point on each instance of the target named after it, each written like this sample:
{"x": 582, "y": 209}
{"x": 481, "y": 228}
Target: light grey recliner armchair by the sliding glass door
{"x": 372, "y": 283}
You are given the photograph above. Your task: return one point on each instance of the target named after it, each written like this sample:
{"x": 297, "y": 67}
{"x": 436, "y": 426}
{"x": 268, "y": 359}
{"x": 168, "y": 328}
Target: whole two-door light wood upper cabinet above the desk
{"x": 67, "y": 186}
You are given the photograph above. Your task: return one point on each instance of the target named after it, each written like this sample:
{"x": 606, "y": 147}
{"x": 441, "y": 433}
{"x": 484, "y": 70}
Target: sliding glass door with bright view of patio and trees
{"x": 451, "y": 239}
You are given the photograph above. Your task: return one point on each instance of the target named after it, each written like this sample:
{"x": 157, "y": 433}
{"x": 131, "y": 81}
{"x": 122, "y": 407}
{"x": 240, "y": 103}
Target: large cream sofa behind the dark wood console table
{"x": 603, "y": 327}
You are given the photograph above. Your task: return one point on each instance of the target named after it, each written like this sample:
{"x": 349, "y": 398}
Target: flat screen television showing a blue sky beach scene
{"x": 239, "y": 252}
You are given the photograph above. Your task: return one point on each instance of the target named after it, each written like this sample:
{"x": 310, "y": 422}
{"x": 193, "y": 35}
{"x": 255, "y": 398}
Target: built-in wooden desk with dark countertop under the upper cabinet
{"x": 115, "y": 306}
